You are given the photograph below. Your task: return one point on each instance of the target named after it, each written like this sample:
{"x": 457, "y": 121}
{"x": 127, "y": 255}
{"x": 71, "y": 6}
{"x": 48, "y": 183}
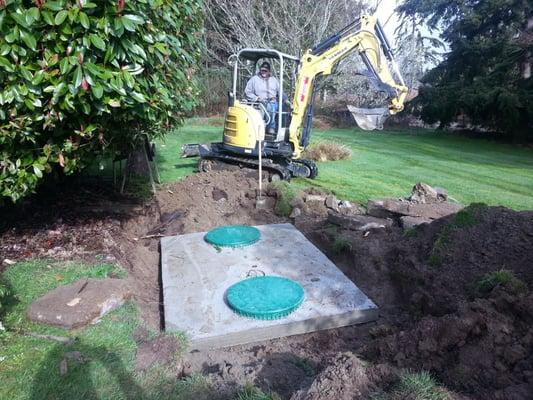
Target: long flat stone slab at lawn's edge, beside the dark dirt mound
{"x": 393, "y": 208}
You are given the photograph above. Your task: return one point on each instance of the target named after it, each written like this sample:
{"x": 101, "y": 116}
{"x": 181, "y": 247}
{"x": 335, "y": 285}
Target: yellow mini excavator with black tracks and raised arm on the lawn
{"x": 244, "y": 127}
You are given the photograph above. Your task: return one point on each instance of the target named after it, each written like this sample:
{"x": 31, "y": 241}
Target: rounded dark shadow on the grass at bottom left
{"x": 84, "y": 372}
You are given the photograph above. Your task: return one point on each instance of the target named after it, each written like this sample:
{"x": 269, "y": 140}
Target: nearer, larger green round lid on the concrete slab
{"x": 265, "y": 297}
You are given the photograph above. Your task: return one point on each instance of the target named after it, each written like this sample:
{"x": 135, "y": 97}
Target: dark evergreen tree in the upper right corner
{"x": 486, "y": 75}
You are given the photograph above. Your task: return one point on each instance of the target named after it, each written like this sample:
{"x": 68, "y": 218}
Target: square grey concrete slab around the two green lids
{"x": 196, "y": 276}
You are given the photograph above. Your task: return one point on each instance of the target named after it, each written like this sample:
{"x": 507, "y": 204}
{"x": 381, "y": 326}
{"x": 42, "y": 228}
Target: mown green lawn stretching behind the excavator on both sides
{"x": 389, "y": 163}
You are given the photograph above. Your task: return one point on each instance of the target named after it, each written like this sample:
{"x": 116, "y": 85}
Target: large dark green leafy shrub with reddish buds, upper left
{"x": 80, "y": 78}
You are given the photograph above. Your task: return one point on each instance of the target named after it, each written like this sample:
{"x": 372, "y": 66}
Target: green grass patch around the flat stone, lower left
{"x": 30, "y": 366}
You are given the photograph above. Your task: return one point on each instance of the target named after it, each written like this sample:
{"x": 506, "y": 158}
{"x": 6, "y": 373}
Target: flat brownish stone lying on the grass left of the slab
{"x": 80, "y": 303}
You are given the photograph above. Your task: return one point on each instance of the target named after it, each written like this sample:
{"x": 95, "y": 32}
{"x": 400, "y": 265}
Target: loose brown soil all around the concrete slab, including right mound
{"x": 478, "y": 345}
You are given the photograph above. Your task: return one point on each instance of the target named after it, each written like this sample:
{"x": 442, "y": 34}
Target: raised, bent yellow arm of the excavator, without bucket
{"x": 365, "y": 36}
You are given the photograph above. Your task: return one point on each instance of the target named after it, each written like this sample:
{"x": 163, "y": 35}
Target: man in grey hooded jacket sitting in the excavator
{"x": 264, "y": 88}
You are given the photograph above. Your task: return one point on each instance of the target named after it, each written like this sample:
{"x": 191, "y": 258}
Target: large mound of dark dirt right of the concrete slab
{"x": 434, "y": 318}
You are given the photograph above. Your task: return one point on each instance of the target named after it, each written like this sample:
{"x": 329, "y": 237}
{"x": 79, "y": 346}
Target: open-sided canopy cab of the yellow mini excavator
{"x": 245, "y": 64}
